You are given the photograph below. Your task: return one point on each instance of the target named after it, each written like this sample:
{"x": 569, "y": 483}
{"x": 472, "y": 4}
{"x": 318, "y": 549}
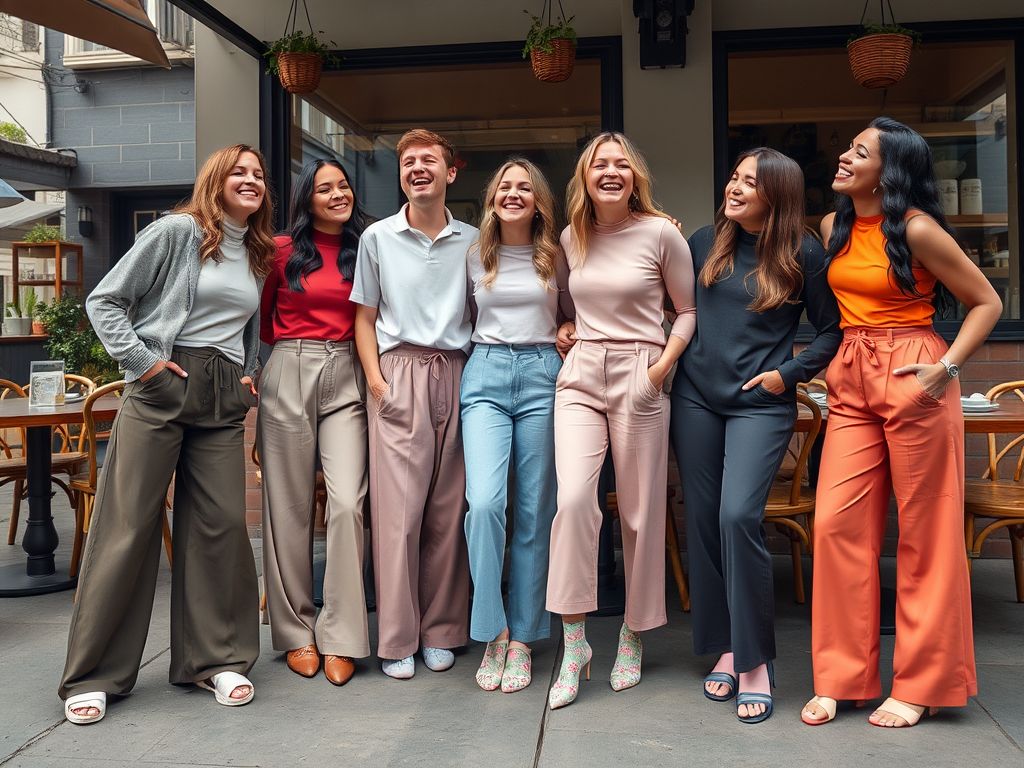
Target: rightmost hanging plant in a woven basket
{"x": 880, "y": 54}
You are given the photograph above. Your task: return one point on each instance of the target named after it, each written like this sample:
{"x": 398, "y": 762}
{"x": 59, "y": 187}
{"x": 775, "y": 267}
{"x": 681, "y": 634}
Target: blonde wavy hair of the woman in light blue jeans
{"x": 543, "y": 229}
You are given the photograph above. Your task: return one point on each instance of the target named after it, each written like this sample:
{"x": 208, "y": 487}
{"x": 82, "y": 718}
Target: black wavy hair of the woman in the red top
{"x": 306, "y": 257}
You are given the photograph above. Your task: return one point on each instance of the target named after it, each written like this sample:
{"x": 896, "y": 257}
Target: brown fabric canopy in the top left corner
{"x": 117, "y": 24}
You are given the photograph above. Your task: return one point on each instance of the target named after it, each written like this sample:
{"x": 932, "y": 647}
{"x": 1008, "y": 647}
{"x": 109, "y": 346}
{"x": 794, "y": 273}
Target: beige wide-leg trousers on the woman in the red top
{"x": 313, "y": 397}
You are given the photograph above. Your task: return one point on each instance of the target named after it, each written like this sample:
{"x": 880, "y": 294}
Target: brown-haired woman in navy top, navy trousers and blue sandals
{"x": 734, "y": 408}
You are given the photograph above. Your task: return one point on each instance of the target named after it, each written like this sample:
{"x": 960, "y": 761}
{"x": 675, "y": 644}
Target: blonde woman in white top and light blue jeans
{"x": 517, "y": 272}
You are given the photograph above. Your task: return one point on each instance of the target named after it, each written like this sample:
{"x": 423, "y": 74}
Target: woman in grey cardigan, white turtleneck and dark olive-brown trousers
{"x": 180, "y": 313}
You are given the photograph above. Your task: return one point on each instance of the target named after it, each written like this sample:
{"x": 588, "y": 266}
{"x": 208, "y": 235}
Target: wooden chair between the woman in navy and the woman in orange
{"x": 790, "y": 500}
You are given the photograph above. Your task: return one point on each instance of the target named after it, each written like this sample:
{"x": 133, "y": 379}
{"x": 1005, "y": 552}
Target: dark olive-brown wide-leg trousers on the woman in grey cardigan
{"x": 193, "y": 426}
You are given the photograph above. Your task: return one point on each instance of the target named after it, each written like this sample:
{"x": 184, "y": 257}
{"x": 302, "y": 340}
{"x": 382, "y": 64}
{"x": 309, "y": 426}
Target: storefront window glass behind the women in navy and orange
{"x": 959, "y": 96}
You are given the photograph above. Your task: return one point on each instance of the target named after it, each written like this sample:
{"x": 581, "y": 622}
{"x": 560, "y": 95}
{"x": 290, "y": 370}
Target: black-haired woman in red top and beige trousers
{"x": 314, "y": 404}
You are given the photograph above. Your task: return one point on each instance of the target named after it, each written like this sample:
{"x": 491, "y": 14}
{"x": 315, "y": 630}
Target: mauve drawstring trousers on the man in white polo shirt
{"x": 418, "y": 496}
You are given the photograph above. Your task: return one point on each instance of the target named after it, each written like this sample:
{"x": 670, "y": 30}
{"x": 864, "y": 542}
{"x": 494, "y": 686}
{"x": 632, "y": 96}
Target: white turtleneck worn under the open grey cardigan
{"x": 227, "y": 297}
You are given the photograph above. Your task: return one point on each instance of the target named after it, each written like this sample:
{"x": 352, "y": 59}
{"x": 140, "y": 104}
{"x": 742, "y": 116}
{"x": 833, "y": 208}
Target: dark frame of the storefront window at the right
{"x": 803, "y": 38}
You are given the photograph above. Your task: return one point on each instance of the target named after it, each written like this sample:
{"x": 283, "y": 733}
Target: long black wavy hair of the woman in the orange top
{"x": 907, "y": 181}
